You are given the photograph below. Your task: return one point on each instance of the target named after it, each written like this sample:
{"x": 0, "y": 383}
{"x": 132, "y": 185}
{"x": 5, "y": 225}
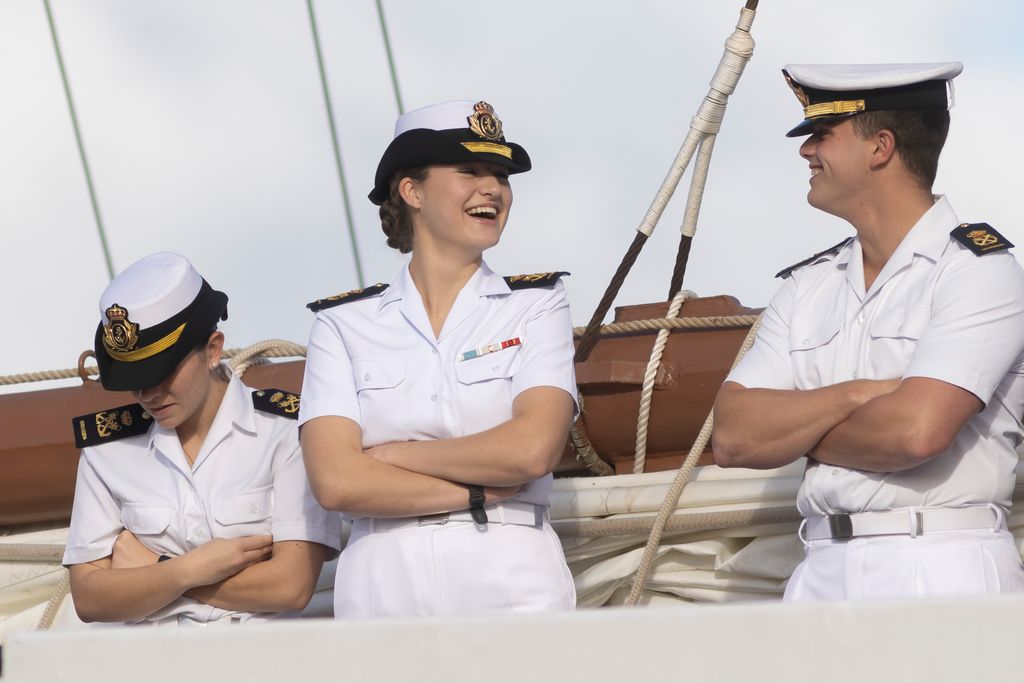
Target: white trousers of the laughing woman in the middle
{"x": 451, "y": 570}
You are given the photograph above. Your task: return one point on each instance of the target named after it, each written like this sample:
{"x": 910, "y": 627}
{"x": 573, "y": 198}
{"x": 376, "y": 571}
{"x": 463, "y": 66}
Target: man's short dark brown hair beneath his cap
{"x": 920, "y": 137}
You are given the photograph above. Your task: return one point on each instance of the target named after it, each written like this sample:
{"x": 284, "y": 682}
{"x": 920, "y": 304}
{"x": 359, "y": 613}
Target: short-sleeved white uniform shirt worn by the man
{"x": 935, "y": 311}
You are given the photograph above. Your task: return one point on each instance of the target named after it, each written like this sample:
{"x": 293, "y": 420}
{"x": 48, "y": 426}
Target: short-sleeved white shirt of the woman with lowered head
{"x": 247, "y": 480}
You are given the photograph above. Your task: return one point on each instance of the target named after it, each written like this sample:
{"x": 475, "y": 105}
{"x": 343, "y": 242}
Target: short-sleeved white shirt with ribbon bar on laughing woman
{"x": 376, "y": 362}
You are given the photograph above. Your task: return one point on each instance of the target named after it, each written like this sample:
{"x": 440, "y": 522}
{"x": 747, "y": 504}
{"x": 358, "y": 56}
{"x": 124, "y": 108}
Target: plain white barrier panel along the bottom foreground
{"x": 957, "y": 641}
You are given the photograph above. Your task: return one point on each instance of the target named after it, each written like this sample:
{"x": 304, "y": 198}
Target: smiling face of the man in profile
{"x": 840, "y": 164}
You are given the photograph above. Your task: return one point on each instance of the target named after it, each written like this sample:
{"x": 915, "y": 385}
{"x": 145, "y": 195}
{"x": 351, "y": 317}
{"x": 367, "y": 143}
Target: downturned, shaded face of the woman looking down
{"x": 183, "y": 393}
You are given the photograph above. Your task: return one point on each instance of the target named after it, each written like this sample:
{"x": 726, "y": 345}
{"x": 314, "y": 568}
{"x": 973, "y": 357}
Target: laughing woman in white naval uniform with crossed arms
{"x": 437, "y": 408}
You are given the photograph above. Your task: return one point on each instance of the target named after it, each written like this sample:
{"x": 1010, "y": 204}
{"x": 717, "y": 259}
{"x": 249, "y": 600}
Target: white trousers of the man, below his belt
{"x": 942, "y": 564}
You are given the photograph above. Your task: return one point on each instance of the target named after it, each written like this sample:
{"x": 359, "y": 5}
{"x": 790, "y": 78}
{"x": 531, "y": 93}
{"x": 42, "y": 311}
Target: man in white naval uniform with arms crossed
{"x": 893, "y": 361}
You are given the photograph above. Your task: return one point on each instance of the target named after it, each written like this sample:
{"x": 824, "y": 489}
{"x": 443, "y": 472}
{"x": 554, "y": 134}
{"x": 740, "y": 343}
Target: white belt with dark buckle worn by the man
{"x": 907, "y": 522}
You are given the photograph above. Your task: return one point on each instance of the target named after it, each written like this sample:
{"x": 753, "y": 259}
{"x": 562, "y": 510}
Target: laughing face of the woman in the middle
{"x": 461, "y": 206}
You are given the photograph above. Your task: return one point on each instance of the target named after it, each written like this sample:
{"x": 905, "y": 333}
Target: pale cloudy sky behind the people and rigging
{"x": 206, "y": 132}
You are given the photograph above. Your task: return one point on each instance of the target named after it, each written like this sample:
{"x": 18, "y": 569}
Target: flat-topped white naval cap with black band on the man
{"x": 829, "y": 93}
